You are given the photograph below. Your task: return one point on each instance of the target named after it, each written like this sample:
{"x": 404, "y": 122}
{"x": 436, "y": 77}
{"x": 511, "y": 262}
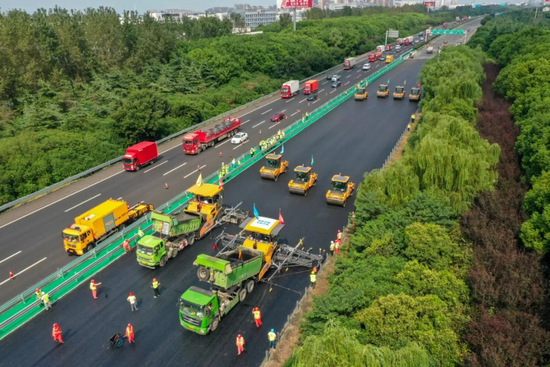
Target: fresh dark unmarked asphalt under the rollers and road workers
{"x": 352, "y": 139}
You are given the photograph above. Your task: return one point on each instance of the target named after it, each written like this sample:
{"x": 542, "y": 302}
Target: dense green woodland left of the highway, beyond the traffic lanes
{"x": 76, "y": 88}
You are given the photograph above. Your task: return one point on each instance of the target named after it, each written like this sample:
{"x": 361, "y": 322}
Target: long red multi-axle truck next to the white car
{"x": 196, "y": 142}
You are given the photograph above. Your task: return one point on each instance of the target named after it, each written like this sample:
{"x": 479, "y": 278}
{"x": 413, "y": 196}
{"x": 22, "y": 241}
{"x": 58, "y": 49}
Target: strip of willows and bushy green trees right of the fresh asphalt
{"x": 399, "y": 297}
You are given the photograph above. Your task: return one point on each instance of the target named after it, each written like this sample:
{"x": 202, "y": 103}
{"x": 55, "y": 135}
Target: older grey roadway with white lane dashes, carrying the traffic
{"x": 38, "y": 236}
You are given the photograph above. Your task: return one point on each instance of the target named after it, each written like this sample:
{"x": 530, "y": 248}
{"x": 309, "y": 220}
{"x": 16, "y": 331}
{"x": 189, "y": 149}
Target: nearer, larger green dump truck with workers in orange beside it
{"x": 232, "y": 276}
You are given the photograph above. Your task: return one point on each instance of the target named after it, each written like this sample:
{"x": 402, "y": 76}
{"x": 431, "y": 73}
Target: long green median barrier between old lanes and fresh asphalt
{"x": 73, "y": 274}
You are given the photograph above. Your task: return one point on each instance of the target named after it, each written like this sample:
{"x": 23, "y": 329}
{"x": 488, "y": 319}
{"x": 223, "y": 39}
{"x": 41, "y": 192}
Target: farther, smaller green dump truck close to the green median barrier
{"x": 176, "y": 231}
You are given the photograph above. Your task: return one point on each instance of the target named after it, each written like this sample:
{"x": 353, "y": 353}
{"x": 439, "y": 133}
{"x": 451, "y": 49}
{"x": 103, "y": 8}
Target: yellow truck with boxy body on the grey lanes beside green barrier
{"x": 99, "y": 222}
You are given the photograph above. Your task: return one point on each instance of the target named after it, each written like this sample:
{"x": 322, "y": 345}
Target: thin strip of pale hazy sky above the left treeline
{"x": 120, "y": 5}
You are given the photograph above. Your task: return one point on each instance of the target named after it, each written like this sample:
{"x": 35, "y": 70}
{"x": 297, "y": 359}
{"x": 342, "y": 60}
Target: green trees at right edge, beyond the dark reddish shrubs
{"x": 525, "y": 56}
